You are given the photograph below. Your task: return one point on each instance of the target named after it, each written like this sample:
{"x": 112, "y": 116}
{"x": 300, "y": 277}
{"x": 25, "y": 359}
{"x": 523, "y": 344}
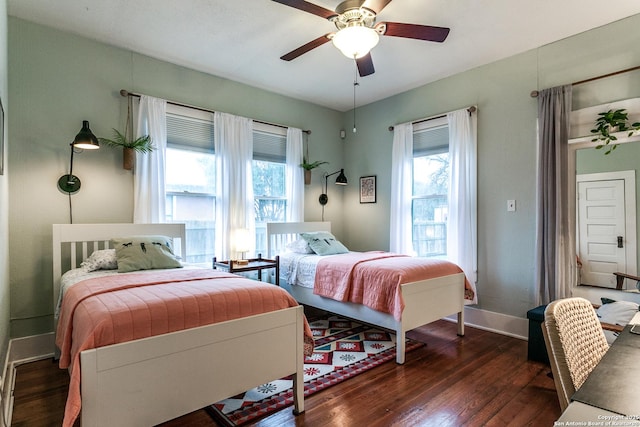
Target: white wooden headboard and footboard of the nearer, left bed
{"x": 151, "y": 380}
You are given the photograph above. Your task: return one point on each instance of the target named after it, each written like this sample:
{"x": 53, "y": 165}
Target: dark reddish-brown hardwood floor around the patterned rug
{"x": 481, "y": 379}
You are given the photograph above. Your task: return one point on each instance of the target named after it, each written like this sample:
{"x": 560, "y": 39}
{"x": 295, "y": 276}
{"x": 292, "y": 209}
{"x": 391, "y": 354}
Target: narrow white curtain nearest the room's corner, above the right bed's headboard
{"x": 294, "y": 176}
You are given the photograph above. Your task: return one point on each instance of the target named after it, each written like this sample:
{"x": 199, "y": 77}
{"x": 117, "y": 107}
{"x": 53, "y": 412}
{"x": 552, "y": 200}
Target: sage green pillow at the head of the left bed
{"x": 144, "y": 253}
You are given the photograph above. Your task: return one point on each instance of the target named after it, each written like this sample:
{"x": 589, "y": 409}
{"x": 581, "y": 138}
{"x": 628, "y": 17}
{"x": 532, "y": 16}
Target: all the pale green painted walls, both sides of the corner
{"x": 58, "y": 80}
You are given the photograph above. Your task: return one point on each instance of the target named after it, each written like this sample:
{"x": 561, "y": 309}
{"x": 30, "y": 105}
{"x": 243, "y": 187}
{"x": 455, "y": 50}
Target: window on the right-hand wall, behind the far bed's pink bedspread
{"x": 430, "y": 204}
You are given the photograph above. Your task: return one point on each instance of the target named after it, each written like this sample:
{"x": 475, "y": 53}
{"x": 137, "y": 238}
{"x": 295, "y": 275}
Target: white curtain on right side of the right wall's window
{"x": 462, "y": 235}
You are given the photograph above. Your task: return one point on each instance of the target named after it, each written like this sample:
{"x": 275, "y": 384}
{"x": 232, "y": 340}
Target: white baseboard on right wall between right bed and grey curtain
{"x": 504, "y": 324}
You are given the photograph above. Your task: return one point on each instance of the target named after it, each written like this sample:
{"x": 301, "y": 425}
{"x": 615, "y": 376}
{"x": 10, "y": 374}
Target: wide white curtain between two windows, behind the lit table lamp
{"x": 234, "y": 184}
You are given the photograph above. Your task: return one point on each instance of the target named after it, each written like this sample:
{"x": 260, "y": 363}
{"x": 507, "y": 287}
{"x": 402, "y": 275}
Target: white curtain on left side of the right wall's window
{"x": 400, "y": 240}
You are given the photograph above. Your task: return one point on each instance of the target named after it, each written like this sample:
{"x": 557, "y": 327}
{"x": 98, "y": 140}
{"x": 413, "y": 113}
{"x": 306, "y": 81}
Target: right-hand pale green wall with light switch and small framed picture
{"x": 506, "y": 147}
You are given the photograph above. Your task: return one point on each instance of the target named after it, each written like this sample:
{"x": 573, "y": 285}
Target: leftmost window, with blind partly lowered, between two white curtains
{"x": 190, "y": 179}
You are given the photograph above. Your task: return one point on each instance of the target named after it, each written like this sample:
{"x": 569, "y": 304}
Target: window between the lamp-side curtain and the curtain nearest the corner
{"x": 269, "y": 192}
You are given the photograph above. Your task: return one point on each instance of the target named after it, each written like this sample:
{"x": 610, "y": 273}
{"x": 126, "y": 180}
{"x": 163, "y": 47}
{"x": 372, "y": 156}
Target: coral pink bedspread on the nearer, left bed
{"x": 114, "y": 309}
